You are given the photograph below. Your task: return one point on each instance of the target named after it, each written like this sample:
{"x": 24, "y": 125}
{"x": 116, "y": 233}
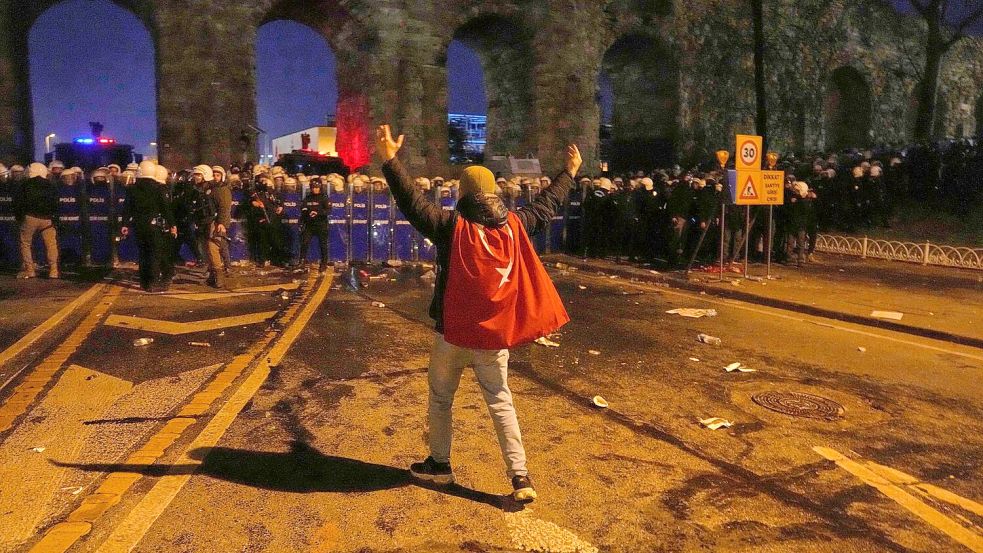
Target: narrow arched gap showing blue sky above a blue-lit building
{"x": 467, "y": 105}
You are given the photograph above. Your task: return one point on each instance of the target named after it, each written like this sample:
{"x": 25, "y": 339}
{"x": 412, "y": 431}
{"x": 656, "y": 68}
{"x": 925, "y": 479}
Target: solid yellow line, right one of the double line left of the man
{"x": 134, "y": 527}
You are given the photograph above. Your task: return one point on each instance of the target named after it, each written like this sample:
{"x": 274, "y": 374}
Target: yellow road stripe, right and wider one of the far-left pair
{"x": 36, "y": 380}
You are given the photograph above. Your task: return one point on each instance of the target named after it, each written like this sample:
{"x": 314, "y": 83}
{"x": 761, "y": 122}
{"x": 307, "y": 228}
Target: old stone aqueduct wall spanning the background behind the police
{"x": 681, "y": 71}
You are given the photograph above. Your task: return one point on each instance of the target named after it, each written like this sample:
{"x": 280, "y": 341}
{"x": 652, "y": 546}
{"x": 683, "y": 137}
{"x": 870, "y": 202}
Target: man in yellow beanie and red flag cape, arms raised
{"x": 491, "y": 293}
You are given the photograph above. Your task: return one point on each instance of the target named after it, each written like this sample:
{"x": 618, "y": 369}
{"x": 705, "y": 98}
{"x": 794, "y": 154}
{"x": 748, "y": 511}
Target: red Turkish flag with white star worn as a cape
{"x": 498, "y": 294}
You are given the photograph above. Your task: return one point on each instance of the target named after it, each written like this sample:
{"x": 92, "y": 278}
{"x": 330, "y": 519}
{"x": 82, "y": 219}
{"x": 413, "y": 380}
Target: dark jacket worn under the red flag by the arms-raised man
{"x": 437, "y": 224}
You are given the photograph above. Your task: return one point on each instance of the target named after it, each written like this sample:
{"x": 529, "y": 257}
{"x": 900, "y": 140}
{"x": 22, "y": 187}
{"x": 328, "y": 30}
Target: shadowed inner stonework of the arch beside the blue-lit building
{"x": 504, "y": 46}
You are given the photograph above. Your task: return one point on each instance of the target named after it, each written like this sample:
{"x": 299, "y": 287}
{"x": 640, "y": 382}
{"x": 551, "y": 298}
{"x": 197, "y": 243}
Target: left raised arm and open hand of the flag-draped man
{"x": 421, "y": 212}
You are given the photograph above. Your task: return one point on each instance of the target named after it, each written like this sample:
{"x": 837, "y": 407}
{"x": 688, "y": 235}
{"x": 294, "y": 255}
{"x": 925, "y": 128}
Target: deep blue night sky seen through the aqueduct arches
{"x": 115, "y": 85}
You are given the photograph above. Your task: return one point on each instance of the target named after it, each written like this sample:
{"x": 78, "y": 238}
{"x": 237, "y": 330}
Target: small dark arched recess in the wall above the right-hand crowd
{"x": 848, "y": 109}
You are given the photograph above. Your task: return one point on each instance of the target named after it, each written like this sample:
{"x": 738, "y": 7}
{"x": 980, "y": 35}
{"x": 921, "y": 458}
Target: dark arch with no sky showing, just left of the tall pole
{"x": 641, "y": 78}
